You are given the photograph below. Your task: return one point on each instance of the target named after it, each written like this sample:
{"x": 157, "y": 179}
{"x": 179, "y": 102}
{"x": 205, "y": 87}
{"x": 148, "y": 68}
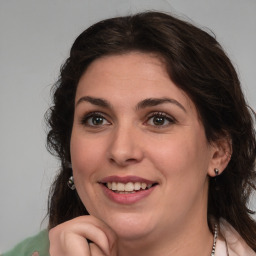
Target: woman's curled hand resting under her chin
{"x": 69, "y": 238}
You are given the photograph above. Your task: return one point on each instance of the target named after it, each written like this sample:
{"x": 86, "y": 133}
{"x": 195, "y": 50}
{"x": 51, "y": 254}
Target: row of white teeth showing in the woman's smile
{"x": 127, "y": 187}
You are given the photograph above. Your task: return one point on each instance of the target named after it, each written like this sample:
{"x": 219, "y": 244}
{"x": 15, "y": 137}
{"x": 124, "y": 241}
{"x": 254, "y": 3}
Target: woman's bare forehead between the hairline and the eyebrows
{"x": 129, "y": 75}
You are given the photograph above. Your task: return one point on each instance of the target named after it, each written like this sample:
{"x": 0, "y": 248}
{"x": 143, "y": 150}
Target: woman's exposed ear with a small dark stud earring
{"x": 220, "y": 155}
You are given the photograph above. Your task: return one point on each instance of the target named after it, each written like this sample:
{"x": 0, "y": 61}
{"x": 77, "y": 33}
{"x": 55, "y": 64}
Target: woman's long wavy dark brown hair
{"x": 198, "y": 65}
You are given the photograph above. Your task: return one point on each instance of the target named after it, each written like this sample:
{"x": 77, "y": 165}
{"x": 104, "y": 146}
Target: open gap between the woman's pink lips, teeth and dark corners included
{"x": 129, "y": 187}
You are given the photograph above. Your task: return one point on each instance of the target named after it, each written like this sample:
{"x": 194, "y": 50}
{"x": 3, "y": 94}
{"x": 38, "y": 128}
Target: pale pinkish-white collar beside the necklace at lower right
{"x": 232, "y": 243}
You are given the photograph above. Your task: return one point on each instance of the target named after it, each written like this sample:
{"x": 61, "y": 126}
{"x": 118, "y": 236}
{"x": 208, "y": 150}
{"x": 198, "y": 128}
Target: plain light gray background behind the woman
{"x": 35, "y": 37}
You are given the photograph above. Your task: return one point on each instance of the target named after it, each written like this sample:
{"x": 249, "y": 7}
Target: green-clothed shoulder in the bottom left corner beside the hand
{"x": 37, "y": 245}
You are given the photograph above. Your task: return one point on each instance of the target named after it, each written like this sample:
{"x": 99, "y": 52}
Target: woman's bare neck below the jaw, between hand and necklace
{"x": 182, "y": 235}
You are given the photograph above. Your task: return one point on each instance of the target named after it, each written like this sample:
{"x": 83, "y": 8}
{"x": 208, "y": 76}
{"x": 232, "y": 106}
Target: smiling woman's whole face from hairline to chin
{"x": 135, "y": 130}
